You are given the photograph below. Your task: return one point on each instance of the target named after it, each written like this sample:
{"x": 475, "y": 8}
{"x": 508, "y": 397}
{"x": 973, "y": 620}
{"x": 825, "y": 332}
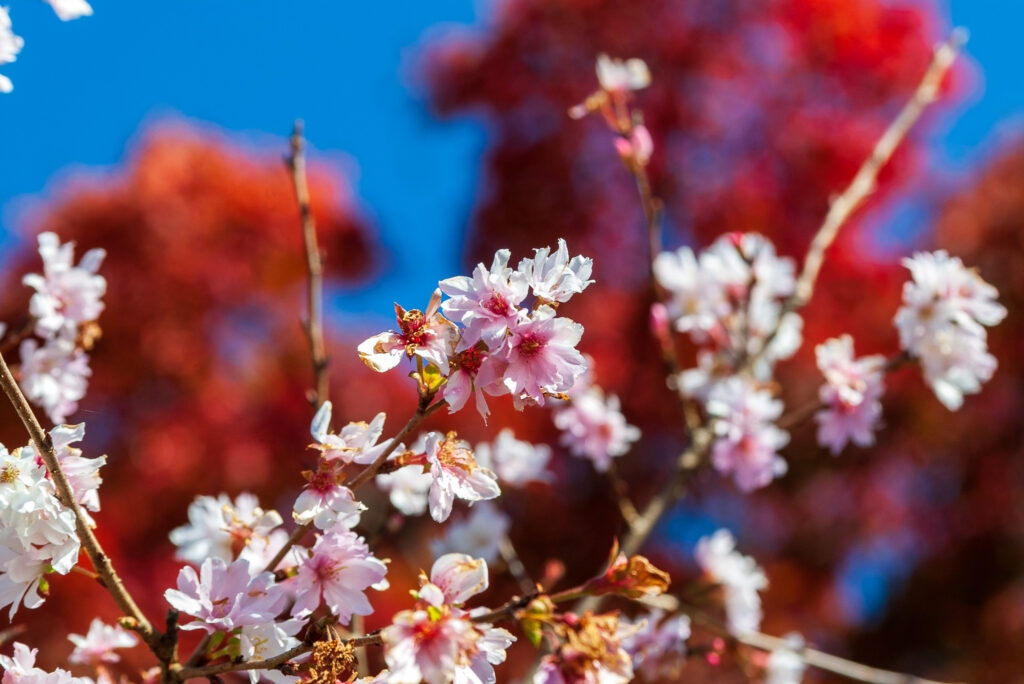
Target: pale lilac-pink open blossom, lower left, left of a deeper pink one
{"x": 226, "y": 596}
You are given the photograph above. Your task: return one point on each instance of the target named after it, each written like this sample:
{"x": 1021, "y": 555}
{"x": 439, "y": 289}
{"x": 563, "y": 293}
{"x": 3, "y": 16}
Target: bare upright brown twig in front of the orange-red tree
{"x": 314, "y": 326}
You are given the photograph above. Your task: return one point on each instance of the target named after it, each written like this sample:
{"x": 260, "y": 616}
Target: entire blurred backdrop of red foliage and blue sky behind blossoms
{"x": 439, "y": 134}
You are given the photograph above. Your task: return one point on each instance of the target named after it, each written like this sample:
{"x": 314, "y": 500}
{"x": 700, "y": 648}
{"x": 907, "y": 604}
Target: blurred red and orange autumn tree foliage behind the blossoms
{"x": 760, "y": 112}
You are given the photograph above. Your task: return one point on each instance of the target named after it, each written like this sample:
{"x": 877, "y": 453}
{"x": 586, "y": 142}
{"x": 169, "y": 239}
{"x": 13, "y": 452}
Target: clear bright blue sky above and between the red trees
{"x": 83, "y": 89}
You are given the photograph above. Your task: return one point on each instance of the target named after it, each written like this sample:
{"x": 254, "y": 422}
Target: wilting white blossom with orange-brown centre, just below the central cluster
{"x": 456, "y": 475}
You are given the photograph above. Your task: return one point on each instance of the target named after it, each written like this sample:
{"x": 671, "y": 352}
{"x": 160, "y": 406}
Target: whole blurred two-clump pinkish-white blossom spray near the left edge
{"x": 67, "y": 302}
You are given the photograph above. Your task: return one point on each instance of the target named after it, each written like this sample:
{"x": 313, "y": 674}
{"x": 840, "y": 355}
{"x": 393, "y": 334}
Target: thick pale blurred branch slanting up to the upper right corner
{"x": 864, "y": 184}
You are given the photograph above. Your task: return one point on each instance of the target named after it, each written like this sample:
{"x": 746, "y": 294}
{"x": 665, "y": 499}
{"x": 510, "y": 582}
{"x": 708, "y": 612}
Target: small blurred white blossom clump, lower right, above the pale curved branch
{"x": 740, "y": 576}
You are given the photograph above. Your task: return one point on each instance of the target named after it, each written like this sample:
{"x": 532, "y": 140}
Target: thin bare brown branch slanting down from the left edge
{"x": 66, "y": 495}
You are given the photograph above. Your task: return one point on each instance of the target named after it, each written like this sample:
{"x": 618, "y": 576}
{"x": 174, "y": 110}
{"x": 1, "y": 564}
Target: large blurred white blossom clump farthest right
{"x": 947, "y": 308}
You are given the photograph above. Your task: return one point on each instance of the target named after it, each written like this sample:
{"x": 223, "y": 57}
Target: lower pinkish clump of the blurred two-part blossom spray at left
{"x": 55, "y": 376}
